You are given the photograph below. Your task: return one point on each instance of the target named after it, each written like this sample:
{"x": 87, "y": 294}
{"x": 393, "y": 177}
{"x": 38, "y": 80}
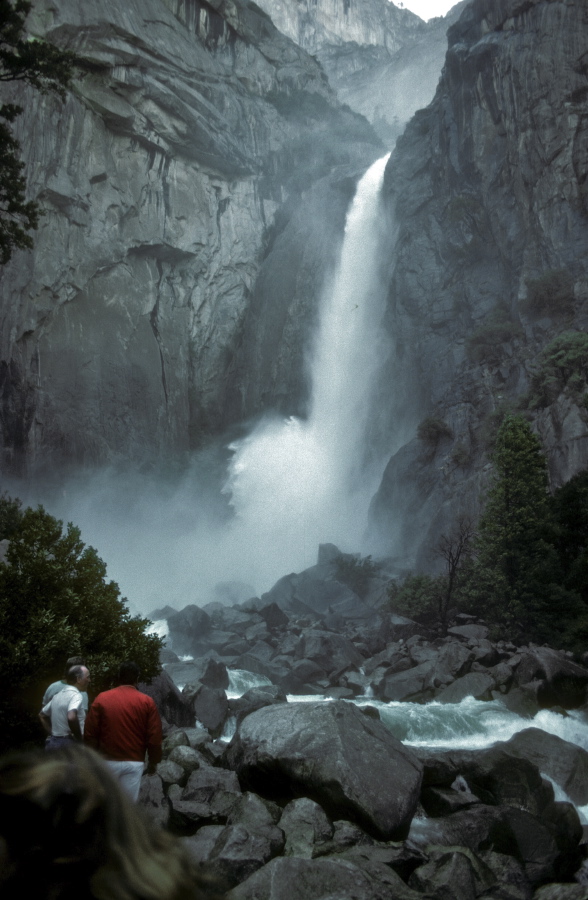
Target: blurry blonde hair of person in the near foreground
{"x": 83, "y": 835}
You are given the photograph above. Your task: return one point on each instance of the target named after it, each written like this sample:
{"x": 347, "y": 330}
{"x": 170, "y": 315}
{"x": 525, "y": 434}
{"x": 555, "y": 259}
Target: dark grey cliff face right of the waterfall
{"x": 489, "y": 188}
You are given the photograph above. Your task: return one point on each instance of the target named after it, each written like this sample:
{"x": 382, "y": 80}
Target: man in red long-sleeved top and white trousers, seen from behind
{"x": 123, "y": 724}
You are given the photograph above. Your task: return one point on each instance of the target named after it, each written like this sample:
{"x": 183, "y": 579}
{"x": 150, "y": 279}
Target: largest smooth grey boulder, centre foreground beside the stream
{"x": 347, "y": 762}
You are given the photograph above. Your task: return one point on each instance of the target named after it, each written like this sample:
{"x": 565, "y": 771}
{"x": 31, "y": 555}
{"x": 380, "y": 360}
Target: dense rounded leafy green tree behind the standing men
{"x": 55, "y": 602}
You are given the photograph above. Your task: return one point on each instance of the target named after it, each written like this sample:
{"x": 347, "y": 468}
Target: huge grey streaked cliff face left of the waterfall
{"x": 190, "y": 127}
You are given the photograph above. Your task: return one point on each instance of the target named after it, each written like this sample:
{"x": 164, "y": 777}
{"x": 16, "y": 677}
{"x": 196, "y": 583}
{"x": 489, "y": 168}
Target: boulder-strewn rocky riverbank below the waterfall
{"x": 318, "y": 799}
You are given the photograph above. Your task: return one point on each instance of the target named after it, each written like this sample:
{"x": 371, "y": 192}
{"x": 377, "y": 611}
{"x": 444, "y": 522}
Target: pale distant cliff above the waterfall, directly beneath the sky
{"x": 384, "y": 62}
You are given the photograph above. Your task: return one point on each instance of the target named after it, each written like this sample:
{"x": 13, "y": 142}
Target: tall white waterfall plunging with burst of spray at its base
{"x": 296, "y": 483}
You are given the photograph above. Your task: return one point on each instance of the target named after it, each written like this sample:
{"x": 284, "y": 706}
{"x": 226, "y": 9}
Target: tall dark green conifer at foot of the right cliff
{"x": 517, "y": 580}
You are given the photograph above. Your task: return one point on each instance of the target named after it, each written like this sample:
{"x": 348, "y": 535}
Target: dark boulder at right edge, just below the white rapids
{"x": 565, "y": 763}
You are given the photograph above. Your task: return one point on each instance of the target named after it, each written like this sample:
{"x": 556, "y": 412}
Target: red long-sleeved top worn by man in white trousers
{"x": 124, "y": 724}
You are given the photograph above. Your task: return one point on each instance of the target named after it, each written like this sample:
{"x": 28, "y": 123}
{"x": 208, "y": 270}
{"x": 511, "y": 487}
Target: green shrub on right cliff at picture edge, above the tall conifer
{"x": 563, "y": 365}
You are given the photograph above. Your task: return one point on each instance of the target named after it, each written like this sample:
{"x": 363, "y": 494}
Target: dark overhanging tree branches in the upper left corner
{"x": 46, "y": 68}
